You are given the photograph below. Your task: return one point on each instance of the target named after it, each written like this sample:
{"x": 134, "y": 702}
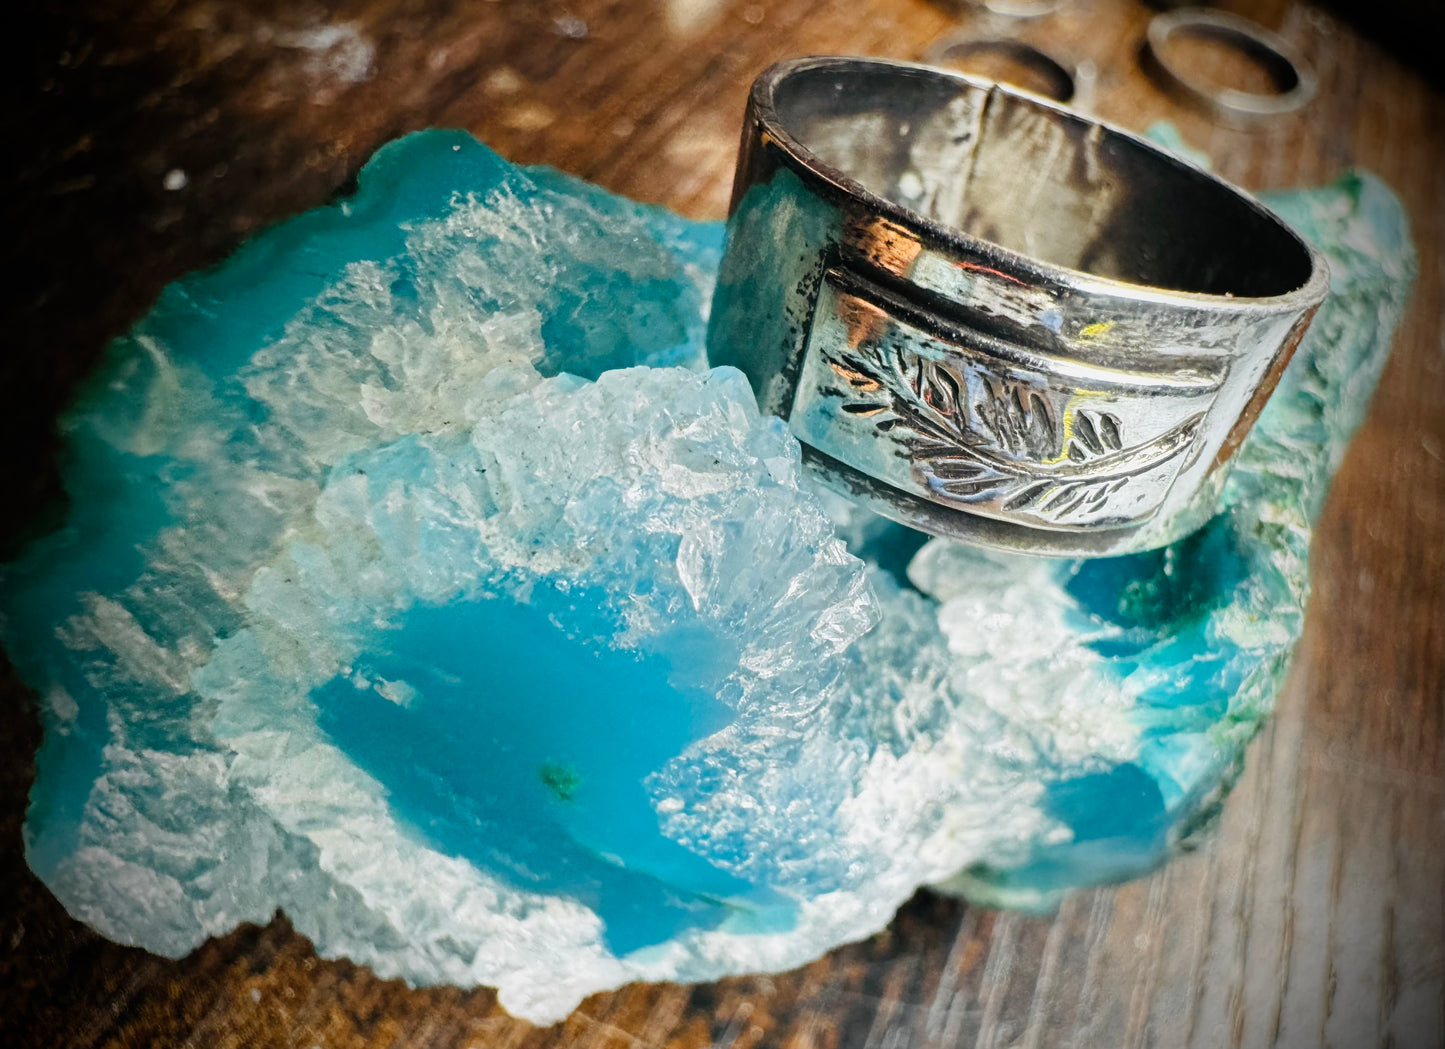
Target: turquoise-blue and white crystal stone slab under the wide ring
{"x": 420, "y": 580}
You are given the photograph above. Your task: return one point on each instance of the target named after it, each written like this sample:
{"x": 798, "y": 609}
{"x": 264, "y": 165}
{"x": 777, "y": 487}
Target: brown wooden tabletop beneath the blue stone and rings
{"x": 1314, "y": 915}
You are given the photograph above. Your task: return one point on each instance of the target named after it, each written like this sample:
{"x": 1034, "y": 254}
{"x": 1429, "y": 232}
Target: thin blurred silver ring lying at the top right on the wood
{"x": 1291, "y": 73}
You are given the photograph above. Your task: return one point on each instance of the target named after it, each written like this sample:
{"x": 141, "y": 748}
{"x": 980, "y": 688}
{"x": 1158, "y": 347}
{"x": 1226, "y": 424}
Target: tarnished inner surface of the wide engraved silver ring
{"x": 1045, "y": 183}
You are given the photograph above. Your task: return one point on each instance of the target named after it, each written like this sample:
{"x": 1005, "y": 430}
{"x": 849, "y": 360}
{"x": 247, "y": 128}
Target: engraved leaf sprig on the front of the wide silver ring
{"x": 1001, "y": 440}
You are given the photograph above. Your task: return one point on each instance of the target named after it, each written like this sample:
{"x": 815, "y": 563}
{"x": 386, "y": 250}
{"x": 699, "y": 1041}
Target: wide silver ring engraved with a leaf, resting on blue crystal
{"x": 991, "y": 317}
